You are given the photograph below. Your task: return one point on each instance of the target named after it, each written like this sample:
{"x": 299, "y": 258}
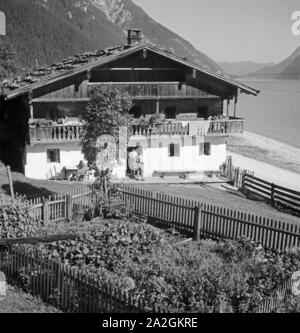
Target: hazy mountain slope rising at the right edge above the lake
{"x": 287, "y": 69}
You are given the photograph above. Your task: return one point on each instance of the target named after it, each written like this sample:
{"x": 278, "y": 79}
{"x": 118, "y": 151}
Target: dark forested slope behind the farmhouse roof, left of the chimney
{"x": 40, "y": 34}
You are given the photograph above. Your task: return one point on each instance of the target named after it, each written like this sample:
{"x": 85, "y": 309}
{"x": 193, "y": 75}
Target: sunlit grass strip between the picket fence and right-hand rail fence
{"x": 224, "y": 198}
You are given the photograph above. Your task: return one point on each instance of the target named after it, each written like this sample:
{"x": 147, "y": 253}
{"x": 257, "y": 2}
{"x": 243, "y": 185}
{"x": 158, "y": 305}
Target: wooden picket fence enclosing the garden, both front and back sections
{"x": 76, "y": 292}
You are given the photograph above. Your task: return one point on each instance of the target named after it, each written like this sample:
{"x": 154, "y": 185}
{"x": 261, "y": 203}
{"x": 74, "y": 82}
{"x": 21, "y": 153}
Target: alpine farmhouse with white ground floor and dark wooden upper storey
{"x": 40, "y": 127}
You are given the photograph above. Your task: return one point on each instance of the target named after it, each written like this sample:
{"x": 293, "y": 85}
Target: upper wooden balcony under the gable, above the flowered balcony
{"x": 153, "y": 90}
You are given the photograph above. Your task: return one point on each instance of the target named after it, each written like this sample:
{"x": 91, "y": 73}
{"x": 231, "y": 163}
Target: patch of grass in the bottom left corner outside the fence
{"x": 20, "y": 302}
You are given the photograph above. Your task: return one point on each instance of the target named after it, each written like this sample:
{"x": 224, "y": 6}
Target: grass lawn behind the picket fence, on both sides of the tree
{"x": 202, "y": 192}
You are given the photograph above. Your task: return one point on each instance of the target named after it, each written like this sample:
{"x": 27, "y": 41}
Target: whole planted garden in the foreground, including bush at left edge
{"x": 176, "y": 275}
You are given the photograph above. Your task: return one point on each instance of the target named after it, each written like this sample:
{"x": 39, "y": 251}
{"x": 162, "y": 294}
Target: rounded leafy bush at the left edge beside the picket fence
{"x": 17, "y": 220}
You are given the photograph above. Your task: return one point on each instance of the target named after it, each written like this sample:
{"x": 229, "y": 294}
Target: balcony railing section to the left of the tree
{"x": 56, "y": 133}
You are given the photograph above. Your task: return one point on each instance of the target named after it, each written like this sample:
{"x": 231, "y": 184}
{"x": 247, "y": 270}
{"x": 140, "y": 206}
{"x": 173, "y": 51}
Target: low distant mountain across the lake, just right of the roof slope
{"x": 241, "y": 68}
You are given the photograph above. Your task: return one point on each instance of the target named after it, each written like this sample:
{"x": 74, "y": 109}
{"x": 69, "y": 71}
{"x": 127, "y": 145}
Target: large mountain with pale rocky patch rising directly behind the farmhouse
{"x": 47, "y": 31}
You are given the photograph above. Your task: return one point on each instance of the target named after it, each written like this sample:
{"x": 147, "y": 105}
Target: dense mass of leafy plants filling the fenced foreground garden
{"x": 199, "y": 277}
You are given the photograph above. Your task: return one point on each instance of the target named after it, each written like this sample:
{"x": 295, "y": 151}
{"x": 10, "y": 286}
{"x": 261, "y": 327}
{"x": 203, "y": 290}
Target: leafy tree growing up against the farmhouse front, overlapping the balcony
{"x": 107, "y": 111}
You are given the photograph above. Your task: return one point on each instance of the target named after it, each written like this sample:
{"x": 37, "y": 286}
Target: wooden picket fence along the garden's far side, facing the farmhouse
{"x": 191, "y": 218}
